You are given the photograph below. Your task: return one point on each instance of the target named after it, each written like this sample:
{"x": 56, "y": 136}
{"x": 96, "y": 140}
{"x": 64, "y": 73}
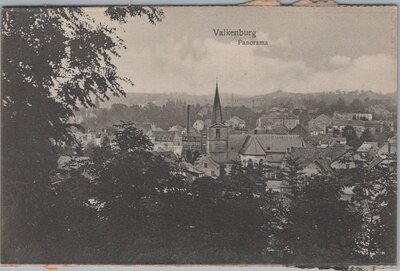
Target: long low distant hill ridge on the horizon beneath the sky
{"x": 265, "y": 100}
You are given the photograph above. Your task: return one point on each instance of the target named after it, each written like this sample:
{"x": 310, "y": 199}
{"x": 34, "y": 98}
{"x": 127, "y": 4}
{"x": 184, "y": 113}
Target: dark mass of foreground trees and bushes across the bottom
{"x": 127, "y": 204}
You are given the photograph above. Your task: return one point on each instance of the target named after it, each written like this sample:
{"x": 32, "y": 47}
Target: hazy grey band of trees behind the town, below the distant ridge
{"x": 174, "y": 112}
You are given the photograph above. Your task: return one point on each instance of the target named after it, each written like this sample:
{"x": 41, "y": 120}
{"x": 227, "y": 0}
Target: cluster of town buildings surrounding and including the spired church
{"x": 213, "y": 145}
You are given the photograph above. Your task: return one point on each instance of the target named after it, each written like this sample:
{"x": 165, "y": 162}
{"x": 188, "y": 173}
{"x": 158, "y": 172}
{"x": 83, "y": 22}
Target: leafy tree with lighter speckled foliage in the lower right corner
{"x": 375, "y": 201}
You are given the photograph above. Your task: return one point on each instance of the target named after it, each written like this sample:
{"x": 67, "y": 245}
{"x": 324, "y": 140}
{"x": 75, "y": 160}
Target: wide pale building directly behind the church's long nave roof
{"x": 272, "y": 119}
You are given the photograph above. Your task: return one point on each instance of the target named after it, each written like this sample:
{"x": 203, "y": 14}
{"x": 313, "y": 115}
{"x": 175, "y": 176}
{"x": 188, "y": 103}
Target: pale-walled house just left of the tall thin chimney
{"x": 167, "y": 141}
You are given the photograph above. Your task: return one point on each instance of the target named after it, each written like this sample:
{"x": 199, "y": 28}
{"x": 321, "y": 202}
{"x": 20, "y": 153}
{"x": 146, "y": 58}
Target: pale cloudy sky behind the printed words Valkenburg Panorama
{"x": 309, "y": 50}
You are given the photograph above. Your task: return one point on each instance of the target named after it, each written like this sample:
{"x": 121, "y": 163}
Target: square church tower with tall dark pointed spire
{"x": 217, "y": 133}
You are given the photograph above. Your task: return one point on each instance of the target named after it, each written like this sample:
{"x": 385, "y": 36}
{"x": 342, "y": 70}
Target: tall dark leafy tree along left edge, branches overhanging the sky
{"x": 54, "y": 60}
